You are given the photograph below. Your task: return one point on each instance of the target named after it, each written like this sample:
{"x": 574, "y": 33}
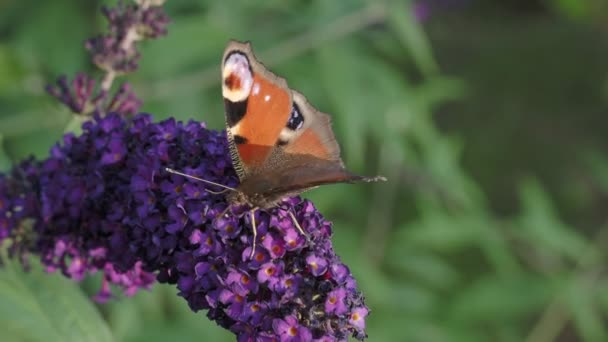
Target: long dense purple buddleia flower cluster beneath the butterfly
{"x": 102, "y": 202}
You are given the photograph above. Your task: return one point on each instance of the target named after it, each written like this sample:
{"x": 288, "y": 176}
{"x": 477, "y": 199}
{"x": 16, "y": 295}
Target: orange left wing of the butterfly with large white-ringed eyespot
{"x": 257, "y": 105}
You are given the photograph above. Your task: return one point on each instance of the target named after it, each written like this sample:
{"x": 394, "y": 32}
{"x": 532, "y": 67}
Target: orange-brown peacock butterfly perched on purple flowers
{"x": 280, "y": 145}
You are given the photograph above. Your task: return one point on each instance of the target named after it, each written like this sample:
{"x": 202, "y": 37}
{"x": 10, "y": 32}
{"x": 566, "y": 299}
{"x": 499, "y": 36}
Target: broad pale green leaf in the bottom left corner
{"x": 36, "y": 306}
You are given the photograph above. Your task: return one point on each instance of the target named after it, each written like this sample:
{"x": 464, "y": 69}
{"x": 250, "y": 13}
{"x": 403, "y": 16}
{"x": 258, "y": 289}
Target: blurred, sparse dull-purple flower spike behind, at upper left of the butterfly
{"x": 116, "y": 53}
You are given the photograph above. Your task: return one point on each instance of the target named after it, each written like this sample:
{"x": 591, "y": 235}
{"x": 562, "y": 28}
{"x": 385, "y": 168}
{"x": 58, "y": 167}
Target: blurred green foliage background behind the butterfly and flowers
{"x": 488, "y": 117}
